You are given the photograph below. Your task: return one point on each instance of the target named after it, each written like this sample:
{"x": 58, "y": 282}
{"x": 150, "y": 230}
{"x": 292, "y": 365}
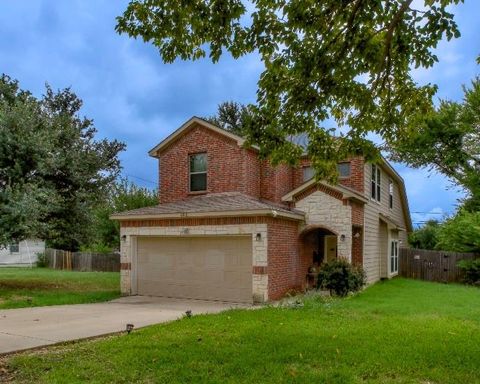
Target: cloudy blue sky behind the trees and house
{"x": 135, "y": 98}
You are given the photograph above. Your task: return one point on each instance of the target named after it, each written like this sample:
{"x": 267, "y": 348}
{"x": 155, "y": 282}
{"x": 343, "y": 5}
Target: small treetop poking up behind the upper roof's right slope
{"x": 230, "y": 116}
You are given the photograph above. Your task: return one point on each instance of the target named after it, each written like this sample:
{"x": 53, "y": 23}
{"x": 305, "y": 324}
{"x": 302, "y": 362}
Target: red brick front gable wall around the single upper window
{"x": 230, "y": 167}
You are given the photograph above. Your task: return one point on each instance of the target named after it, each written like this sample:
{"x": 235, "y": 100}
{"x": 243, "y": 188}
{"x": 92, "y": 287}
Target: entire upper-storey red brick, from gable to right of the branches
{"x": 232, "y": 168}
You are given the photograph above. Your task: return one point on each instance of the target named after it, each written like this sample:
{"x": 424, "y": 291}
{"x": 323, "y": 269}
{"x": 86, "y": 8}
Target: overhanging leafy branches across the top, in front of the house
{"x": 346, "y": 60}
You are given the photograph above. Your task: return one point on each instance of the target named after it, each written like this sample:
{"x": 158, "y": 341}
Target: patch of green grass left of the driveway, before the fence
{"x": 33, "y": 287}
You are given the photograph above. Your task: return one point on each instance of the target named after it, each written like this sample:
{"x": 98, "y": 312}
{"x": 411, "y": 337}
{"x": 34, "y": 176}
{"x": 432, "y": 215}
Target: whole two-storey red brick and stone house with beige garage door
{"x": 231, "y": 227}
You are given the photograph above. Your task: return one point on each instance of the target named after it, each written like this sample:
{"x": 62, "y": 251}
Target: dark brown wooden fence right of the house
{"x": 432, "y": 265}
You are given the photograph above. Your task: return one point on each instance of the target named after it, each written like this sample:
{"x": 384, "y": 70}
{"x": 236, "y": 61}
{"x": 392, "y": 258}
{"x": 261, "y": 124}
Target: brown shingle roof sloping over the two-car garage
{"x": 215, "y": 203}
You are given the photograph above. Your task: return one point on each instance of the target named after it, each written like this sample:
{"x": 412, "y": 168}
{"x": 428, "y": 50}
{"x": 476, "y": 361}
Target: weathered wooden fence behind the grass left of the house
{"x": 82, "y": 261}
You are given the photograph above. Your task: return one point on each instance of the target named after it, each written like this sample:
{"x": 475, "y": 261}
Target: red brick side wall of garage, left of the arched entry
{"x": 285, "y": 270}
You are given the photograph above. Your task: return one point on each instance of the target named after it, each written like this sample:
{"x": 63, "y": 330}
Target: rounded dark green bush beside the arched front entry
{"x": 341, "y": 277}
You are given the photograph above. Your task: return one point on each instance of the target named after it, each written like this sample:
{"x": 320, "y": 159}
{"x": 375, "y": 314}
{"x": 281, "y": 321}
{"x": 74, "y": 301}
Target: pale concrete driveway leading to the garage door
{"x": 26, "y": 328}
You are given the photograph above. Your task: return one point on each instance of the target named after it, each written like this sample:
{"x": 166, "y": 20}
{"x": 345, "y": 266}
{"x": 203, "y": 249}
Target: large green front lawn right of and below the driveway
{"x": 400, "y": 331}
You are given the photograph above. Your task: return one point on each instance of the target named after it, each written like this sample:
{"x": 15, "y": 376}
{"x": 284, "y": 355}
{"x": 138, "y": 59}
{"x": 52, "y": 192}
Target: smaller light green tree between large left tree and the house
{"x": 123, "y": 196}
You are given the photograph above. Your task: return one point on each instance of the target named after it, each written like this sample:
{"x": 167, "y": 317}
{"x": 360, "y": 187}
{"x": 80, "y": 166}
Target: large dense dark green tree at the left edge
{"x": 53, "y": 171}
